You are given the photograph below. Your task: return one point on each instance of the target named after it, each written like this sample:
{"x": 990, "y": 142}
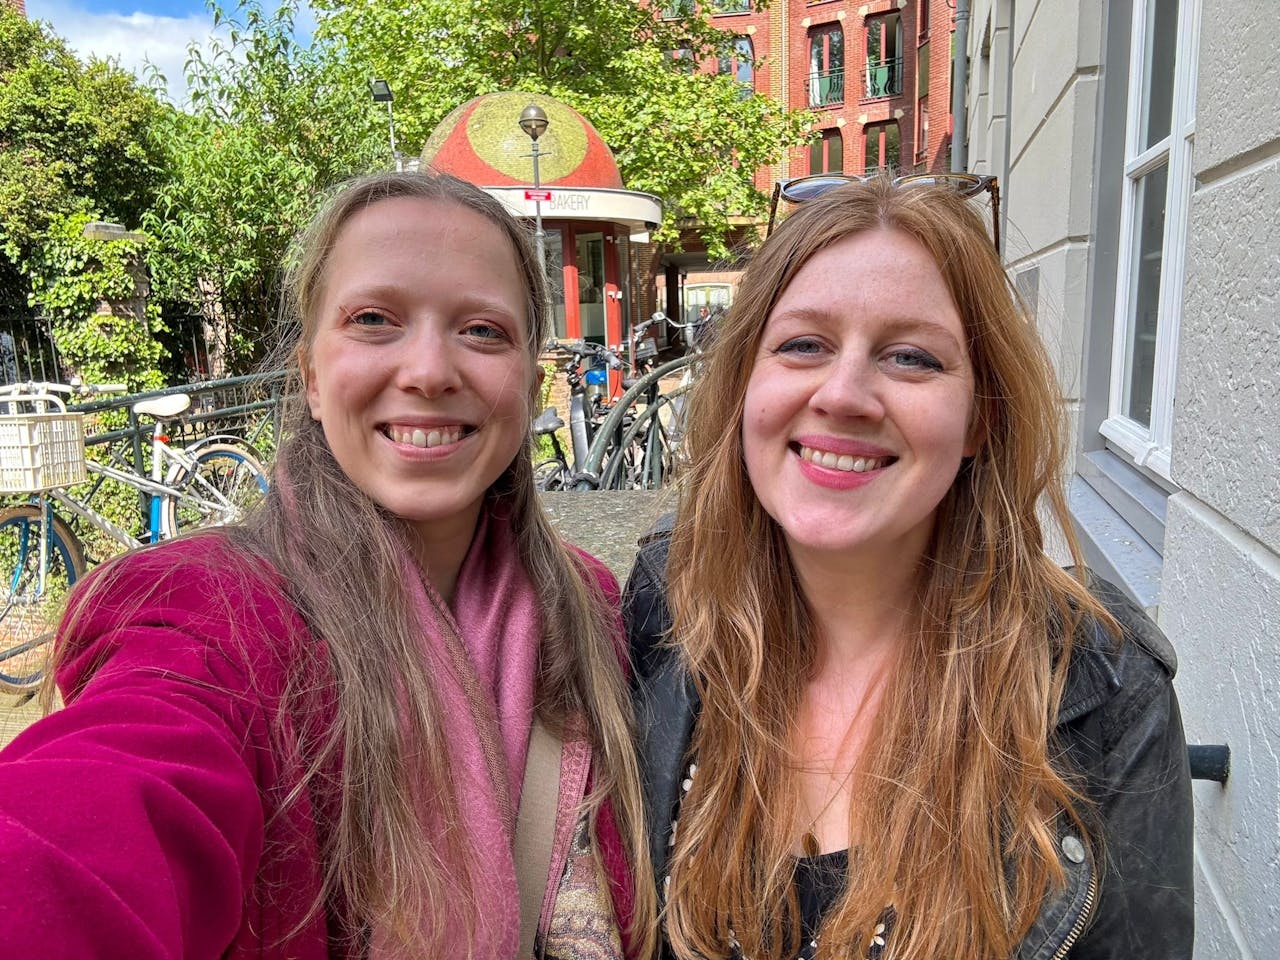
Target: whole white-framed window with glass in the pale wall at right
{"x": 1156, "y": 193}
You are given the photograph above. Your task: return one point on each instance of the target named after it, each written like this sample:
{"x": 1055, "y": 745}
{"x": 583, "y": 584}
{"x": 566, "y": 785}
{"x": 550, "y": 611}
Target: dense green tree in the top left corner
{"x": 76, "y": 141}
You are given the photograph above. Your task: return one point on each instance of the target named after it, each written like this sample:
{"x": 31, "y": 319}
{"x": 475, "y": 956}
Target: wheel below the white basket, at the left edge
{"x": 30, "y": 610}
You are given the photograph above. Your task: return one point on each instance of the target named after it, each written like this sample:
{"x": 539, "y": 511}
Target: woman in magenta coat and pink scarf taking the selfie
{"x": 387, "y": 715}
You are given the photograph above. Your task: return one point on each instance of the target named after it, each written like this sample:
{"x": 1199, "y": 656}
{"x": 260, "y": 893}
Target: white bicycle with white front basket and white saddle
{"x": 43, "y": 455}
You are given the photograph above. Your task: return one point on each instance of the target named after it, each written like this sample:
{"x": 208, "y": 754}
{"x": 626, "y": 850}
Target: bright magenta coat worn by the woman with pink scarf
{"x": 144, "y": 820}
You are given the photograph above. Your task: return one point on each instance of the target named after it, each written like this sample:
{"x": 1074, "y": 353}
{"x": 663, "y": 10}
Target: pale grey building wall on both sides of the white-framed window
{"x": 1045, "y": 81}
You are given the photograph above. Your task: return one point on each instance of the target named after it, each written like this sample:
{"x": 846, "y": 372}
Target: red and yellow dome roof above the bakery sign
{"x": 482, "y": 143}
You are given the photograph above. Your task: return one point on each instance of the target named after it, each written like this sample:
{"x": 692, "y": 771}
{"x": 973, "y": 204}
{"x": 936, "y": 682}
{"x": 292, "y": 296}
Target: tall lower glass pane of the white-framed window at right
{"x": 1145, "y": 296}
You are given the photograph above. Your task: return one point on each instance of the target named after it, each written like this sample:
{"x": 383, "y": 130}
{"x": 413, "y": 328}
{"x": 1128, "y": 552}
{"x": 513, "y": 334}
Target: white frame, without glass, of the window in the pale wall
{"x": 1150, "y": 446}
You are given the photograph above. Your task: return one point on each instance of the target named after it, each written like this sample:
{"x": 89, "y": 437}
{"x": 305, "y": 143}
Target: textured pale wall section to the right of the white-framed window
{"x": 1220, "y": 593}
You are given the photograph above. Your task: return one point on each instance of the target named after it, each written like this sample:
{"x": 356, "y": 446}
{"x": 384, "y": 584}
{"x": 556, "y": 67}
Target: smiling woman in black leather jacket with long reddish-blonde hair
{"x": 877, "y": 720}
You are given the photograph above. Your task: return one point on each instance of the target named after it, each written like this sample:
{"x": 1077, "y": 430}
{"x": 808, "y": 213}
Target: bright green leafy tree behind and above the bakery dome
{"x": 691, "y": 138}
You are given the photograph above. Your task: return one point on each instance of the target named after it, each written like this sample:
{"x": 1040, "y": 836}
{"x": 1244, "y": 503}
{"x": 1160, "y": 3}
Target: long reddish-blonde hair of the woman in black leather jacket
{"x": 956, "y": 792}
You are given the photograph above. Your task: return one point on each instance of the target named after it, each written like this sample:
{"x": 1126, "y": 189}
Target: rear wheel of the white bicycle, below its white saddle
{"x": 223, "y": 483}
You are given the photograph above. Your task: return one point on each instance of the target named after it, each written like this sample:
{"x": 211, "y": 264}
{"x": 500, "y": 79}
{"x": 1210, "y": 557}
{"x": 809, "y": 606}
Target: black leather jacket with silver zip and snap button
{"x": 1118, "y": 721}
